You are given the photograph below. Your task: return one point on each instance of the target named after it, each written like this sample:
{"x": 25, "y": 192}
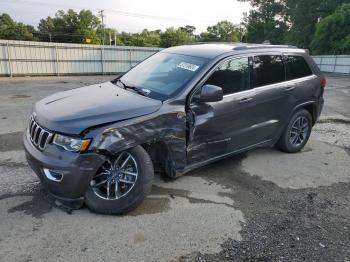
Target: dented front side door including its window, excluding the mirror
{"x": 218, "y": 128}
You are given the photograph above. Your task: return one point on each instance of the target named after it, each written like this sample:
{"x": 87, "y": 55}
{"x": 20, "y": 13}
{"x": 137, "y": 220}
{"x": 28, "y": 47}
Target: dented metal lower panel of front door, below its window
{"x": 221, "y": 127}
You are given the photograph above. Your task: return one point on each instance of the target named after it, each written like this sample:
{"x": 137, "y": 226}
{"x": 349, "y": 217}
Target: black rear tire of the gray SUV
{"x": 285, "y": 143}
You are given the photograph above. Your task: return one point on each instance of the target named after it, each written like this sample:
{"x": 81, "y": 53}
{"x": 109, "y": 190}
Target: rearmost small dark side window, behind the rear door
{"x": 297, "y": 67}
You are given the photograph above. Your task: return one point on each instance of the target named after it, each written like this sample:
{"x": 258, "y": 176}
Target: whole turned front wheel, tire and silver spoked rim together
{"x": 121, "y": 183}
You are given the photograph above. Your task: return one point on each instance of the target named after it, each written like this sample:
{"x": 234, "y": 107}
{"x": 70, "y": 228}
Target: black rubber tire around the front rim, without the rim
{"x": 132, "y": 199}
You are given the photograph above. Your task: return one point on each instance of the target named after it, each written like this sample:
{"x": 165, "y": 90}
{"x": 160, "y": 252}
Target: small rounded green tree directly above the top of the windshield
{"x": 174, "y": 37}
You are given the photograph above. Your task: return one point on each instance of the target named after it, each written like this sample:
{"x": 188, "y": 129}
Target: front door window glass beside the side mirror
{"x": 232, "y": 76}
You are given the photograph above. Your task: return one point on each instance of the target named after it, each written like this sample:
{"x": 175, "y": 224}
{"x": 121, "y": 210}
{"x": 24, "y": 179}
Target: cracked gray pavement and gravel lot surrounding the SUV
{"x": 263, "y": 205}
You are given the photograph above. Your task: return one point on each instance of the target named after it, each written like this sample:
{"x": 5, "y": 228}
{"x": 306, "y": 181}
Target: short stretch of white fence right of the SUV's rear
{"x": 333, "y": 64}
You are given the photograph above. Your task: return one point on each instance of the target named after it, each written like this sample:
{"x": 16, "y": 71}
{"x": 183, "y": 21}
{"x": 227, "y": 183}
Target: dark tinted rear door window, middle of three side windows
{"x": 268, "y": 69}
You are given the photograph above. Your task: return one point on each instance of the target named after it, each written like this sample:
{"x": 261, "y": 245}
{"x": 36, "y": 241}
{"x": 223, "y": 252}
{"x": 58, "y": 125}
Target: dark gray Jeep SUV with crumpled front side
{"x": 180, "y": 109}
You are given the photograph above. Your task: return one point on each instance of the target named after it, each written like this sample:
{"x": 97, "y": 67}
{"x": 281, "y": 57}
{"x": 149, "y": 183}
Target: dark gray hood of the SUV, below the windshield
{"x": 73, "y": 111}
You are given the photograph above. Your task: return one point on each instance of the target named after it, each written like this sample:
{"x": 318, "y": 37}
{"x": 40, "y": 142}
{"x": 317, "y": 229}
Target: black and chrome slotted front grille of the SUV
{"x": 38, "y": 135}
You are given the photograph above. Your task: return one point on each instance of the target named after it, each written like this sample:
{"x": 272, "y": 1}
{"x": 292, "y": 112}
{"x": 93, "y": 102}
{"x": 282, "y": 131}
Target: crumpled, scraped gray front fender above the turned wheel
{"x": 169, "y": 128}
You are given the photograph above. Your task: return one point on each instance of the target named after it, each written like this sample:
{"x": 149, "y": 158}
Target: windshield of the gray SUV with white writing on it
{"x": 163, "y": 75}
